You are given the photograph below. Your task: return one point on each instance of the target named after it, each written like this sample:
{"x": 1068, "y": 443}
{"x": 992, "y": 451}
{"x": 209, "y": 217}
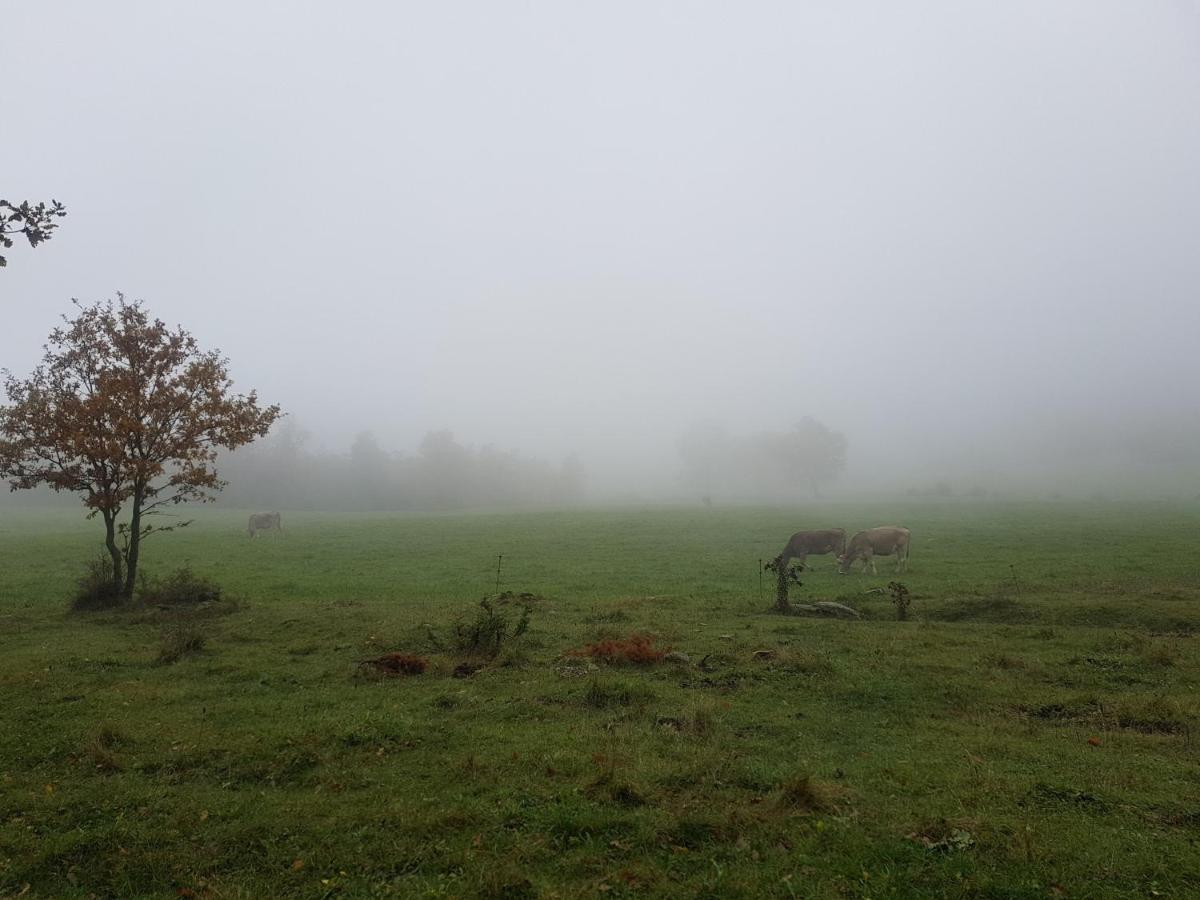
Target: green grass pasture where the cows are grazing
{"x": 1033, "y": 731}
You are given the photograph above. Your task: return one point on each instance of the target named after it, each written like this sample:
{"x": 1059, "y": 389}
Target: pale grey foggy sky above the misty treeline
{"x": 946, "y": 230}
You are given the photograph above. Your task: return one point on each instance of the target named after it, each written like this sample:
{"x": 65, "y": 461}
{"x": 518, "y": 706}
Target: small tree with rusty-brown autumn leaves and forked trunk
{"x": 130, "y": 415}
